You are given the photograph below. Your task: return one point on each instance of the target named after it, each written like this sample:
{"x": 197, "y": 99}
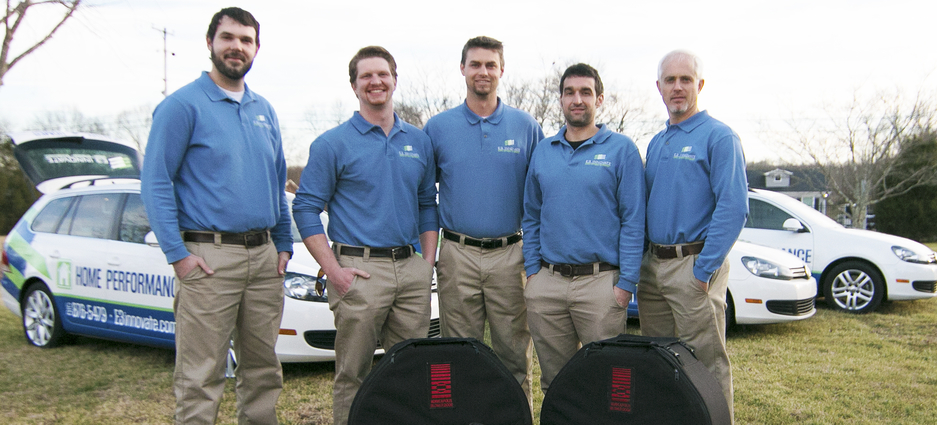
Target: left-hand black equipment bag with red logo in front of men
{"x": 440, "y": 381}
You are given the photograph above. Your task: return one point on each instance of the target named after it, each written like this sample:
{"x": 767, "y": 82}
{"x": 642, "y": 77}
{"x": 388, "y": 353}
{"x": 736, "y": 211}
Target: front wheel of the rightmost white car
{"x": 854, "y": 286}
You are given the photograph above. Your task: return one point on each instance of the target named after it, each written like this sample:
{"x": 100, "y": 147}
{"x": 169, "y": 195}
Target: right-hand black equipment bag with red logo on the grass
{"x": 632, "y": 379}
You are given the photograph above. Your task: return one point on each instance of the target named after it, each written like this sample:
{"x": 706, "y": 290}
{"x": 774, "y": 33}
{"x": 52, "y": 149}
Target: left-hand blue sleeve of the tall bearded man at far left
{"x": 165, "y": 149}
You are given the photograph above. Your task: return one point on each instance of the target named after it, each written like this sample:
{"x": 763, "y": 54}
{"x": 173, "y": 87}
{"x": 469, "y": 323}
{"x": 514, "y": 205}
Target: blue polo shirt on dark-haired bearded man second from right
{"x": 586, "y": 205}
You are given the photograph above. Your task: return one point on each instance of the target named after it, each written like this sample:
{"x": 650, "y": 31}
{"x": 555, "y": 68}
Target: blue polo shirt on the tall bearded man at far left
{"x": 214, "y": 164}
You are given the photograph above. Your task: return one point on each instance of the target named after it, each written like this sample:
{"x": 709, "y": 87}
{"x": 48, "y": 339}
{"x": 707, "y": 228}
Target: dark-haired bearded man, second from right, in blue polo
{"x": 583, "y": 228}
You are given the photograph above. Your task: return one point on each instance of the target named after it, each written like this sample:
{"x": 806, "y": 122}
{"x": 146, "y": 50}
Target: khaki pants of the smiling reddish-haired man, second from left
{"x": 392, "y": 305}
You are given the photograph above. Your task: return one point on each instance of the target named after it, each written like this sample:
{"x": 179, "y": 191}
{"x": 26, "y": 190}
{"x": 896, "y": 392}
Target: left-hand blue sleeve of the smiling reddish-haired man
{"x": 316, "y": 187}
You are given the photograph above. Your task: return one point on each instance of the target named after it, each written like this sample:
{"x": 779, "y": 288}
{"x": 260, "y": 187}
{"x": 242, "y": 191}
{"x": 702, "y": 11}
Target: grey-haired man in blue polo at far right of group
{"x": 696, "y": 207}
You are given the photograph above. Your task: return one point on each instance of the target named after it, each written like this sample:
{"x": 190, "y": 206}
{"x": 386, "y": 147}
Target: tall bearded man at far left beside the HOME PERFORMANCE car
{"x": 213, "y": 186}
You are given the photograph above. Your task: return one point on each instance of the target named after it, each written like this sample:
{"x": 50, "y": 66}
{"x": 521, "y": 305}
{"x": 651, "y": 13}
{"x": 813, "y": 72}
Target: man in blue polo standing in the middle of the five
{"x": 482, "y": 150}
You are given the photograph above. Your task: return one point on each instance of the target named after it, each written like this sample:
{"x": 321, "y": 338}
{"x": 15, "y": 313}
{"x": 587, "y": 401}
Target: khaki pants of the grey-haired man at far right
{"x": 671, "y": 303}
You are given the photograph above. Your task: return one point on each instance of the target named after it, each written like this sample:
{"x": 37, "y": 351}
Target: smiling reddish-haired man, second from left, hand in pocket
{"x": 376, "y": 173}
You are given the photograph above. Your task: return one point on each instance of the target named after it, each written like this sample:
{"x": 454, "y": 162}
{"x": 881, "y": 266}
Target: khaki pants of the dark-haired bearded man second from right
{"x": 566, "y": 312}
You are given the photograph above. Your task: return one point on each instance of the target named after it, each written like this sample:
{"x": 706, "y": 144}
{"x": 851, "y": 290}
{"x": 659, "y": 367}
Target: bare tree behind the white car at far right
{"x": 858, "y": 150}
